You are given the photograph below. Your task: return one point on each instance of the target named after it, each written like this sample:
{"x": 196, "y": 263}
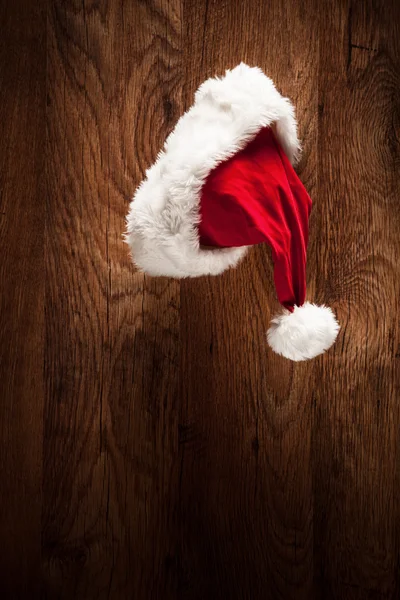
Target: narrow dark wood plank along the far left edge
{"x": 22, "y": 210}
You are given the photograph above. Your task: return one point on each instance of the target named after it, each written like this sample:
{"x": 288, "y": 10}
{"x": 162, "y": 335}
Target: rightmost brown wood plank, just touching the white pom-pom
{"x": 356, "y": 434}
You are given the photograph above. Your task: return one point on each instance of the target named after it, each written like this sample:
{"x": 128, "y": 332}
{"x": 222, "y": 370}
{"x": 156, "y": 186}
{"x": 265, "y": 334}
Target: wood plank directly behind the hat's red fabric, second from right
{"x": 246, "y": 507}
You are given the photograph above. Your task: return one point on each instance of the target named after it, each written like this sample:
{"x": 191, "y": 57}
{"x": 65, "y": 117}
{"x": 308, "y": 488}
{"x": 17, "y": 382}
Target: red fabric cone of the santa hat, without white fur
{"x": 254, "y": 197}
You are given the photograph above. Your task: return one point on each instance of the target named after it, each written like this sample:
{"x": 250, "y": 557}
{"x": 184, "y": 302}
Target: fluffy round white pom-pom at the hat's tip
{"x": 306, "y": 332}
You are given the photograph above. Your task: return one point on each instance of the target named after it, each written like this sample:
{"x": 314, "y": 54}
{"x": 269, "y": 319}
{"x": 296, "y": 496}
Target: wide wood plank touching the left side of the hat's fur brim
{"x": 110, "y": 467}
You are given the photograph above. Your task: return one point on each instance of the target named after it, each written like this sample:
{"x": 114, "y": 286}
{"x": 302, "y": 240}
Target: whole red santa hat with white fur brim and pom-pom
{"x": 223, "y": 182}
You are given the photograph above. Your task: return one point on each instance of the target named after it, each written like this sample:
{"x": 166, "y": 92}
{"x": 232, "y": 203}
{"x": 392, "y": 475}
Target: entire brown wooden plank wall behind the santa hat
{"x": 151, "y": 445}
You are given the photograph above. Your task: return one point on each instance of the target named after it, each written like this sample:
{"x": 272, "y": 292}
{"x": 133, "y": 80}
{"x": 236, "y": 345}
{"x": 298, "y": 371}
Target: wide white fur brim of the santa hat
{"x": 162, "y": 222}
